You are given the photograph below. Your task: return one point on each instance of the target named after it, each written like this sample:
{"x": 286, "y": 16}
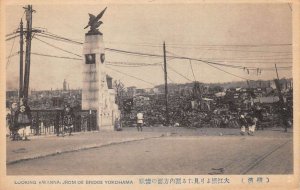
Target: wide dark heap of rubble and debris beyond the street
{"x": 209, "y": 111}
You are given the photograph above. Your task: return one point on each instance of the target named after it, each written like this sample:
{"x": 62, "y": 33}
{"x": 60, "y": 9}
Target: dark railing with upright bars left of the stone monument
{"x": 51, "y": 121}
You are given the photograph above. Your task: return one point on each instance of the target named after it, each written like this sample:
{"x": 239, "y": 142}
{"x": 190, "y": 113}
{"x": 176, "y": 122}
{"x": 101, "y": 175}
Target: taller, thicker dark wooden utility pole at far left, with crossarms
{"x": 29, "y": 11}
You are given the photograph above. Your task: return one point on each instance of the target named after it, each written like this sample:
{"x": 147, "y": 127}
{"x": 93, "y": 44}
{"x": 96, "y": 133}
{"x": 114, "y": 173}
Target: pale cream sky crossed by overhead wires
{"x": 248, "y": 35}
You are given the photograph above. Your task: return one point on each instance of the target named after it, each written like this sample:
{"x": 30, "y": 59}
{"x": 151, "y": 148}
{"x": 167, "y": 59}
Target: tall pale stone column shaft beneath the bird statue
{"x": 93, "y": 74}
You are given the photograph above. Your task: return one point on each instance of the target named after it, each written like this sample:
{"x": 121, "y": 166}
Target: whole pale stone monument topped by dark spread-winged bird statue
{"x": 96, "y": 95}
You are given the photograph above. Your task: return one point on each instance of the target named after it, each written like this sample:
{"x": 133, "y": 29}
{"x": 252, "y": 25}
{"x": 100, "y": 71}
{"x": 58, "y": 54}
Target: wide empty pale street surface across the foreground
{"x": 160, "y": 151}
